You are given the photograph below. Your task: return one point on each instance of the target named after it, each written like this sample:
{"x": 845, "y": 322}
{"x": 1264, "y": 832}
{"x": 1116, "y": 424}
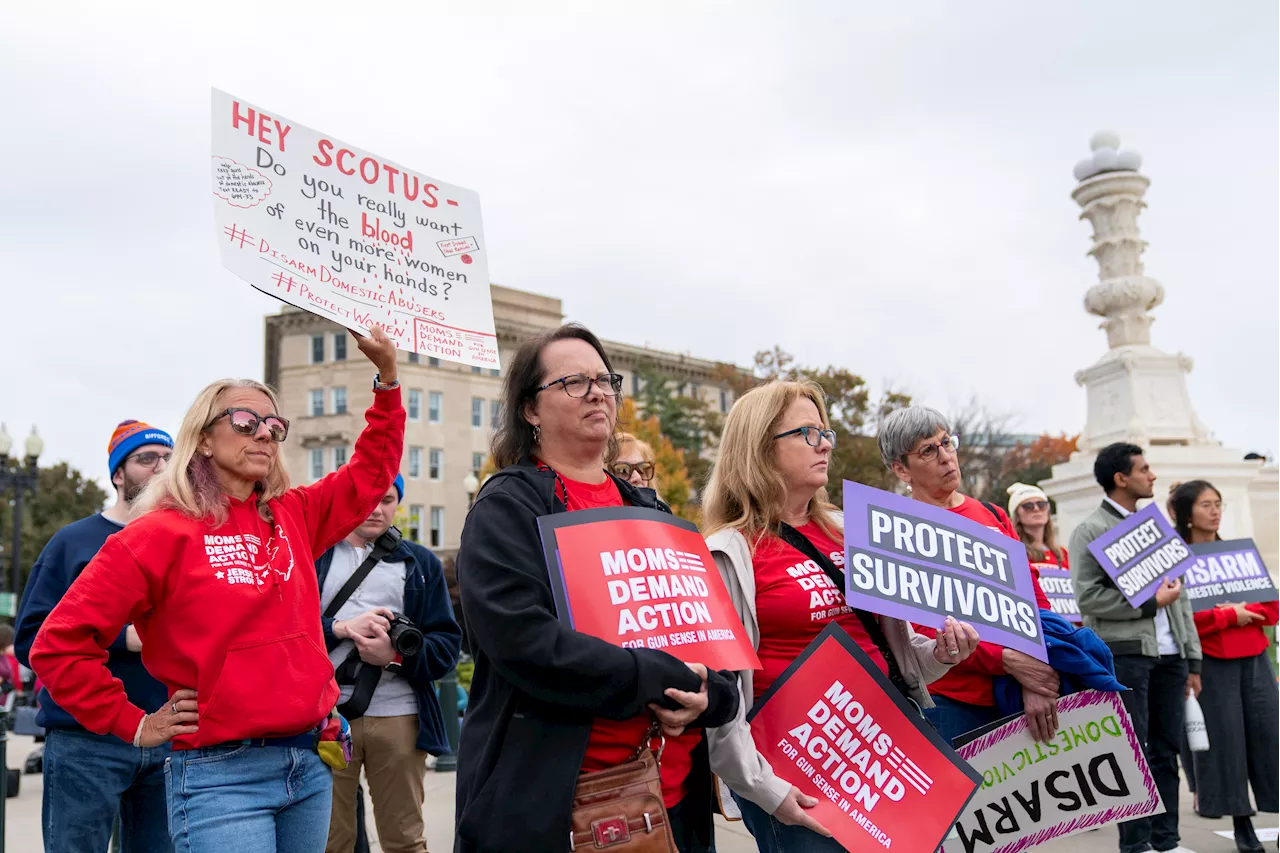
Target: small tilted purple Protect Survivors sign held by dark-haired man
{"x": 1142, "y": 553}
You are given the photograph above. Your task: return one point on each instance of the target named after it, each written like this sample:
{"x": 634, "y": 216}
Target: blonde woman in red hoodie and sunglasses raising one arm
{"x": 217, "y": 577}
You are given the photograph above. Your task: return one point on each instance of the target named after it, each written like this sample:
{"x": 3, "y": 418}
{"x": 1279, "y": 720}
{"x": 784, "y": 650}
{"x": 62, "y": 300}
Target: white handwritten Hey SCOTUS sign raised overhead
{"x": 351, "y": 236}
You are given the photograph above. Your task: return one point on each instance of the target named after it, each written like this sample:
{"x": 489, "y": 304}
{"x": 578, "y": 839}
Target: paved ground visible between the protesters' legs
{"x": 22, "y": 822}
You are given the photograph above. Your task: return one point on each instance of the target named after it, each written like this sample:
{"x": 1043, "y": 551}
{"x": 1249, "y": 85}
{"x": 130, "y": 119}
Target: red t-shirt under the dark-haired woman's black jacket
{"x": 615, "y": 741}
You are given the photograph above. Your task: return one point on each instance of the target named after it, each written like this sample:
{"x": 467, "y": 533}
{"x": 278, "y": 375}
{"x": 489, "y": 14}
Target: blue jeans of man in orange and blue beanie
{"x": 89, "y": 781}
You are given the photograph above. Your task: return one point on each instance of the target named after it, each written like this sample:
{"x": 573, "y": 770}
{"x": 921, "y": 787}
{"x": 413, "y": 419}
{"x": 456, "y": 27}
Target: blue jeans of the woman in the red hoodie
{"x": 249, "y": 800}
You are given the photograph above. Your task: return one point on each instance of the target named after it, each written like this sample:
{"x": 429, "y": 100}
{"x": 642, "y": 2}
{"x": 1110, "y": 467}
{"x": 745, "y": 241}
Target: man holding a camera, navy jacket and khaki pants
{"x": 391, "y": 633}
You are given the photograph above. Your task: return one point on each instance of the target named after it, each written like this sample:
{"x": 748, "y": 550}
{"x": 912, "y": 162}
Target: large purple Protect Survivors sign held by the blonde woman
{"x": 922, "y": 564}
